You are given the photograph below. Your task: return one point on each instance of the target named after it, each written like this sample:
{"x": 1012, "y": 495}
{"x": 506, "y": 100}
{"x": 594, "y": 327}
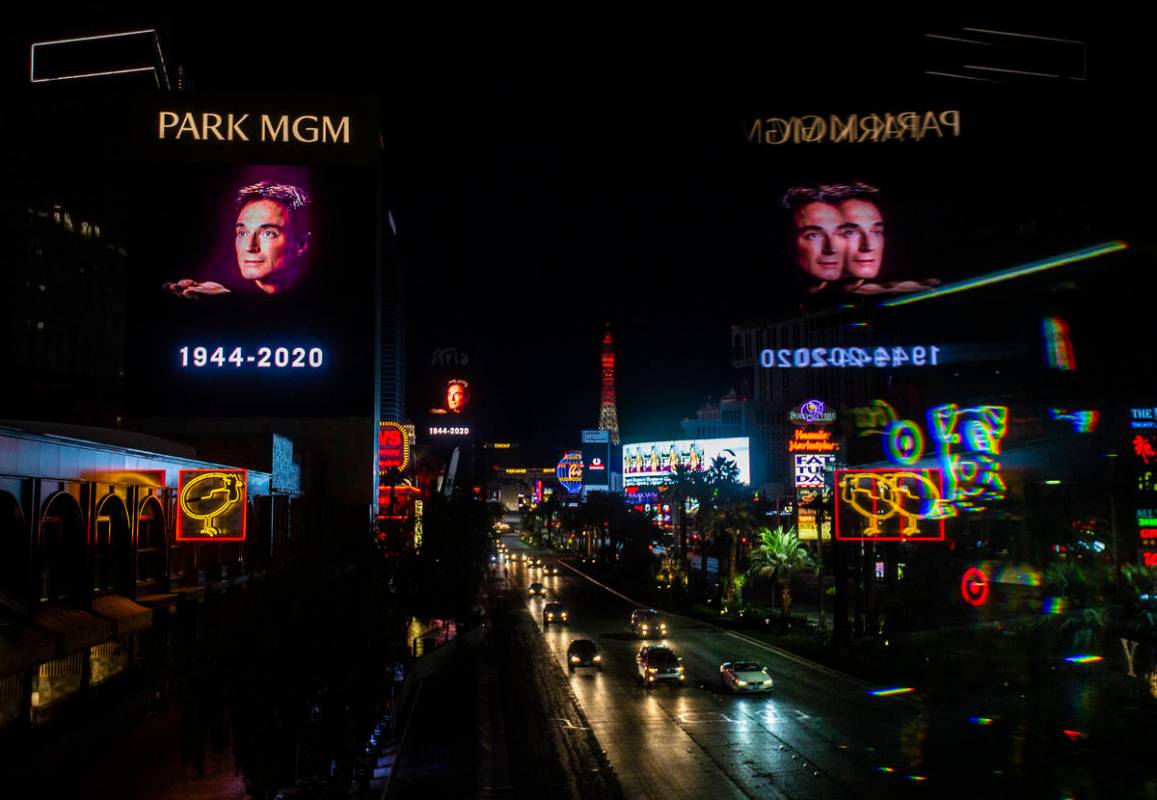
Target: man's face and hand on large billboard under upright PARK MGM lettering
{"x": 271, "y": 240}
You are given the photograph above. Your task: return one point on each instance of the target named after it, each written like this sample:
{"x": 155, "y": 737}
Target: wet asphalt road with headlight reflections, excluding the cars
{"x": 822, "y": 735}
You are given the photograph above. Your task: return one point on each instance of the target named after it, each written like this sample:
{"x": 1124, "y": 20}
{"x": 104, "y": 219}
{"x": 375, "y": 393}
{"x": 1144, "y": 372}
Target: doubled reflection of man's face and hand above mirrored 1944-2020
{"x": 839, "y": 239}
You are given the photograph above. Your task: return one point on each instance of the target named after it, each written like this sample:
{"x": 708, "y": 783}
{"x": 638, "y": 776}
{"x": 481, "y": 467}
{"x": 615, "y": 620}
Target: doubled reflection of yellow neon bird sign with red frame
{"x": 890, "y": 505}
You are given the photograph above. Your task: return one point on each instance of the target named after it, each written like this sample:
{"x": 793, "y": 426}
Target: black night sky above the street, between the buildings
{"x": 551, "y": 177}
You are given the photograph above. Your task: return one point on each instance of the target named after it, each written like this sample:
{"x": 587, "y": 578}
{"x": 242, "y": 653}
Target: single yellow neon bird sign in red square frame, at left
{"x": 211, "y": 505}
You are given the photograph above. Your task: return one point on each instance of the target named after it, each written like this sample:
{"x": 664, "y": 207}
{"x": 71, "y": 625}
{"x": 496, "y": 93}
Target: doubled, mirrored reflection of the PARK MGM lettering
{"x": 856, "y": 128}
